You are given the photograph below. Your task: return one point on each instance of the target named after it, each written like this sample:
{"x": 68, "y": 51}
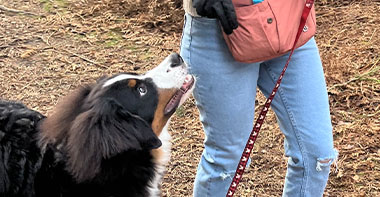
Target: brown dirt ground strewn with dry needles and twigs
{"x": 50, "y": 47}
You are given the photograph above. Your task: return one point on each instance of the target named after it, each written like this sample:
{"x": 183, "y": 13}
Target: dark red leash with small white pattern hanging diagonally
{"x": 256, "y": 128}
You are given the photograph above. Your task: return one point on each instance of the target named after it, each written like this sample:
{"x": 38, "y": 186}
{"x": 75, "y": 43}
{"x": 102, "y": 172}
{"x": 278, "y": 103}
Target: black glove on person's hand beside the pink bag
{"x": 221, "y": 9}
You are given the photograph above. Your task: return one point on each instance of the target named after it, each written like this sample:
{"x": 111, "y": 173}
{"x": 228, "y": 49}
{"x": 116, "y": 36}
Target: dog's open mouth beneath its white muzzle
{"x": 174, "y": 102}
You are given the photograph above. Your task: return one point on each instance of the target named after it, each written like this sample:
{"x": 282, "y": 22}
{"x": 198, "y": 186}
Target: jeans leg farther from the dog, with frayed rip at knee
{"x": 302, "y": 109}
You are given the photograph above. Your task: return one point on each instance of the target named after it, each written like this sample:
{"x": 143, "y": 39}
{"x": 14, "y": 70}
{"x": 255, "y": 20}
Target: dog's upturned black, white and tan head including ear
{"x": 119, "y": 113}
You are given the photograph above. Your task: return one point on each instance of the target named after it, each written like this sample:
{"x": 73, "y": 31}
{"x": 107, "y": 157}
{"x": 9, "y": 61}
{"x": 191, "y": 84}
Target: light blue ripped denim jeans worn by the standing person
{"x": 225, "y": 96}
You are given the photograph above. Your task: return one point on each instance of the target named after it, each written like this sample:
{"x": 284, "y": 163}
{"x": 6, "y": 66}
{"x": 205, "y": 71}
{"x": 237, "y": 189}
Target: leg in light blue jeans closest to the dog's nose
{"x": 225, "y": 96}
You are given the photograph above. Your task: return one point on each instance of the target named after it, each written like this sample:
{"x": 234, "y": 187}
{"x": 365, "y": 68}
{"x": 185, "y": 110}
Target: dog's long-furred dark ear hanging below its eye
{"x": 103, "y": 131}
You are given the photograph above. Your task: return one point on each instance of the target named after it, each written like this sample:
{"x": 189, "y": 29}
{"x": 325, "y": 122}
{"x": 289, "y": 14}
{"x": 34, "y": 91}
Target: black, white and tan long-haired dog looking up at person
{"x": 109, "y": 138}
